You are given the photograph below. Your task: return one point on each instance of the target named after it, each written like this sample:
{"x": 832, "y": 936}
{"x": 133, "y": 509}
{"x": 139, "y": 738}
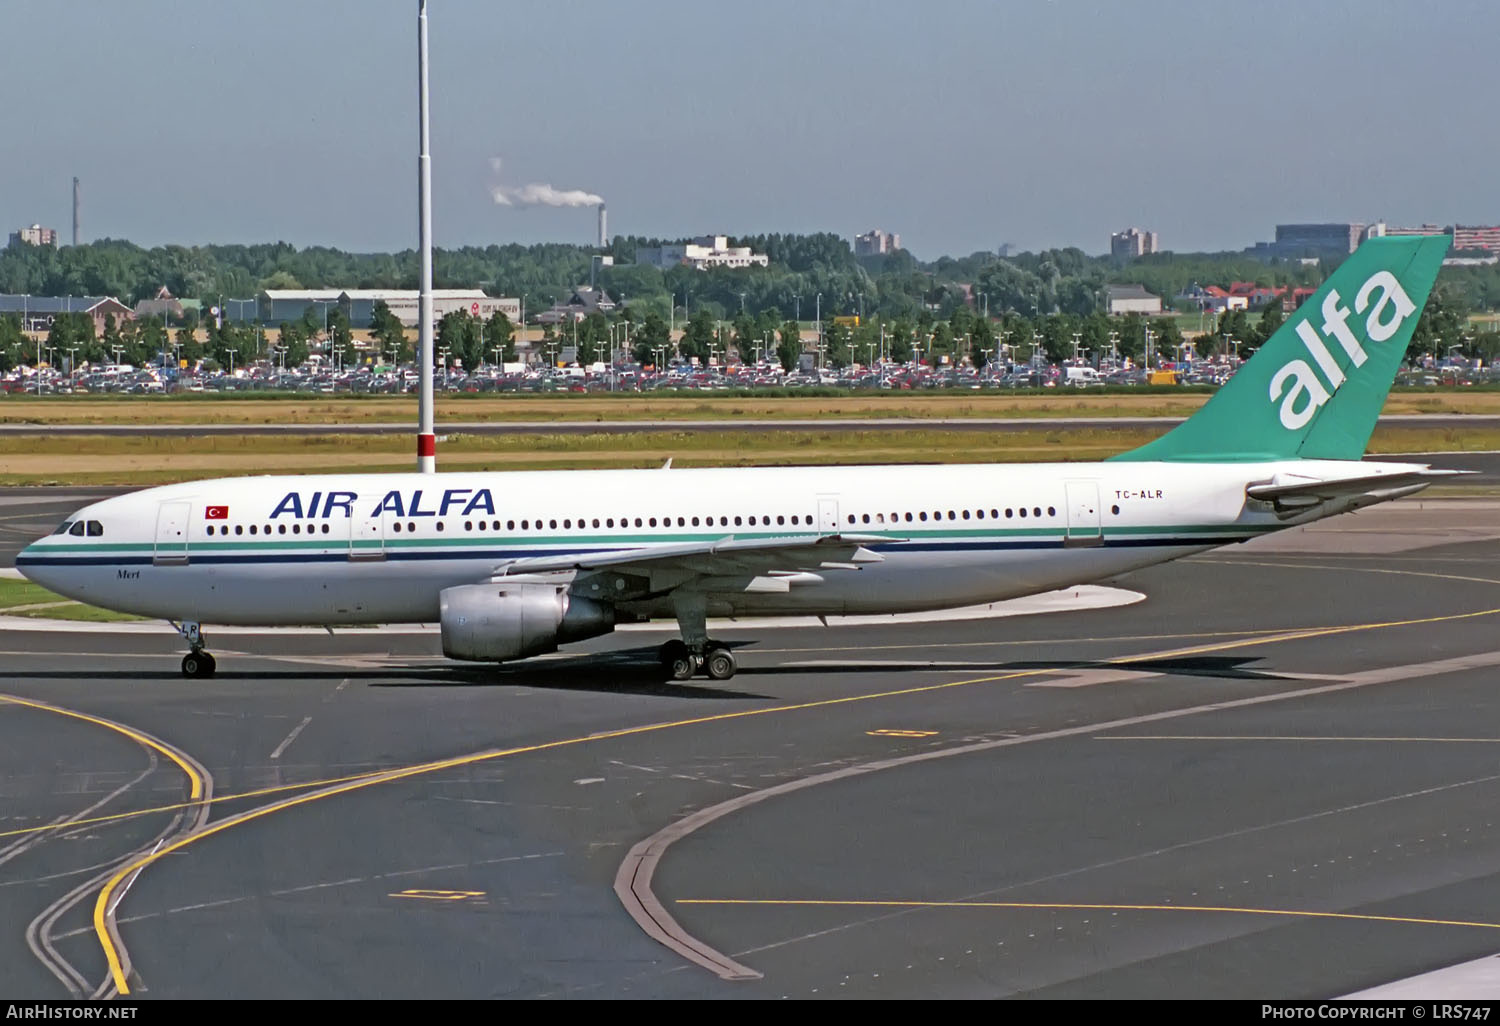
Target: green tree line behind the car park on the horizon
{"x": 976, "y": 308}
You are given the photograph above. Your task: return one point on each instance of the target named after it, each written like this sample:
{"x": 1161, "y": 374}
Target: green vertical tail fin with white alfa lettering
{"x": 1316, "y": 388}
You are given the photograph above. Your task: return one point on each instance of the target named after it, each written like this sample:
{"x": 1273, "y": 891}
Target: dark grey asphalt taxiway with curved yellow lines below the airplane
{"x": 1276, "y": 776}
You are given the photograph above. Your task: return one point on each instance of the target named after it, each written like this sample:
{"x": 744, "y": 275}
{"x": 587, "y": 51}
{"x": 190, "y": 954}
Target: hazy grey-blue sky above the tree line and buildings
{"x": 958, "y": 124}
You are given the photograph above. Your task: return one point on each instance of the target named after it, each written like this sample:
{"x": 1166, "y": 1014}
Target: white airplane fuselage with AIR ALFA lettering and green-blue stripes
{"x": 380, "y": 548}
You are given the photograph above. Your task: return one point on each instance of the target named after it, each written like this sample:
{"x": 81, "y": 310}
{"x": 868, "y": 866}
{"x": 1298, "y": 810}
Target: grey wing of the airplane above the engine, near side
{"x": 728, "y": 557}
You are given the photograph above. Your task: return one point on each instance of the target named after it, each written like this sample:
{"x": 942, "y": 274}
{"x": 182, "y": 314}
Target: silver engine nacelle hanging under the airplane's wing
{"x": 496, "y": 622}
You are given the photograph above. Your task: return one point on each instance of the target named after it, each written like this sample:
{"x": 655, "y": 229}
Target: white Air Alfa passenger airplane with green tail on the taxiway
{"x": 515, "y": 565}
